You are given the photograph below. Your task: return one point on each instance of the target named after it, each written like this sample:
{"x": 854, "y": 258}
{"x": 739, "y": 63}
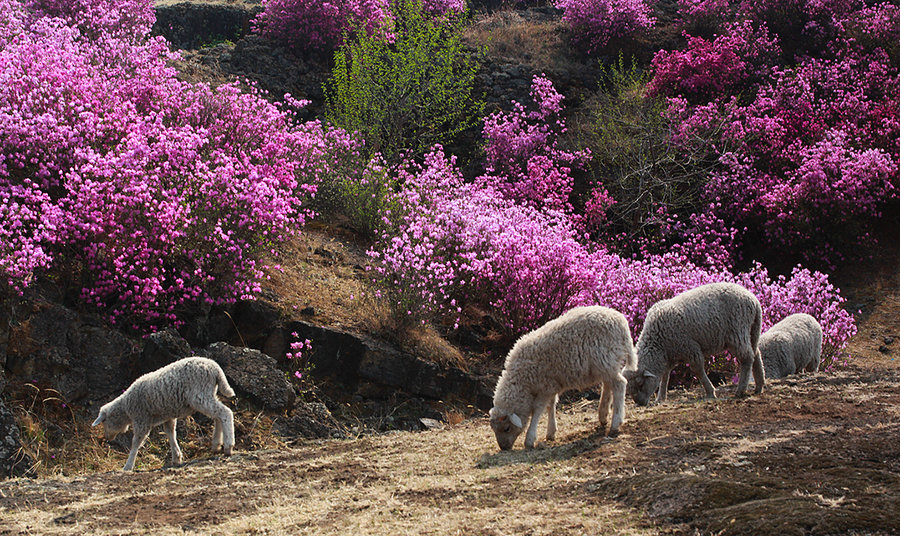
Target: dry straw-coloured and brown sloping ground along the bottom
{"x": 813, "y": 455}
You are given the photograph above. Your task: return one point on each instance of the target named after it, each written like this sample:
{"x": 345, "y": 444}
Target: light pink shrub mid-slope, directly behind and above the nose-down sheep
{"x": 469, "y": 242}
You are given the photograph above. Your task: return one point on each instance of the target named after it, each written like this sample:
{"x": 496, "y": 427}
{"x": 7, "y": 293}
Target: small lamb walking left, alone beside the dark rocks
{"x": 165, "y": 395}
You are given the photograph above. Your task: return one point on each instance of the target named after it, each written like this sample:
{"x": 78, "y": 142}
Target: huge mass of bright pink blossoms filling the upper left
{"x": 160, "y": 194}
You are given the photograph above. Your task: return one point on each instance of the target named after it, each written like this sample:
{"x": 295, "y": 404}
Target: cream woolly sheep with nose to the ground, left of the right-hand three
{"x": 584, "y": 347}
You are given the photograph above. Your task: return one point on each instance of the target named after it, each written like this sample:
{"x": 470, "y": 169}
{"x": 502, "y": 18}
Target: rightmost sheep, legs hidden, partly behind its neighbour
{"x": 792, "y": 345}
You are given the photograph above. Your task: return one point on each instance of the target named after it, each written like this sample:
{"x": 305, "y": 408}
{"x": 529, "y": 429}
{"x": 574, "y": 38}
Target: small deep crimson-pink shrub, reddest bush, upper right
{"x": 704, "y": 70}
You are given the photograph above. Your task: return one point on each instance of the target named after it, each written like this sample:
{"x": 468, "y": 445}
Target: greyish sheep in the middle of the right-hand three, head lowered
{"x": 691, "y": 326}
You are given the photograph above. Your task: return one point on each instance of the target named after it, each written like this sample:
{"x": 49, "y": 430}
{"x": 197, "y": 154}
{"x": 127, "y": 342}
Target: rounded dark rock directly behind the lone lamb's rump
{"x": 253, "y": 375}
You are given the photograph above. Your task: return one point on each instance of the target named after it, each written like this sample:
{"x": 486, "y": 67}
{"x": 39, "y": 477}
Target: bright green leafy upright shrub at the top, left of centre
{"x": 409, "y": 94}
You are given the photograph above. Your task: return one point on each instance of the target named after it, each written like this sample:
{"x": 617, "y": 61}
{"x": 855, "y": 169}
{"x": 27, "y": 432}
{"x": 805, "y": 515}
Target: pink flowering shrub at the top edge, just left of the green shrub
{"x": 320, "y": 24}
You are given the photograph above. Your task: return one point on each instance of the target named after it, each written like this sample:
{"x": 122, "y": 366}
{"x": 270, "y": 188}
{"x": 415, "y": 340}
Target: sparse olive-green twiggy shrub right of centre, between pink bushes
{"x": 649, "y": 178}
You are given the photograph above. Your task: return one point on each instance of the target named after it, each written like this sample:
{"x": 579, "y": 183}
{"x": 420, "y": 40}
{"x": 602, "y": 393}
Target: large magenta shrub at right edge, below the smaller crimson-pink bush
{"x": 812, "y": 159}
